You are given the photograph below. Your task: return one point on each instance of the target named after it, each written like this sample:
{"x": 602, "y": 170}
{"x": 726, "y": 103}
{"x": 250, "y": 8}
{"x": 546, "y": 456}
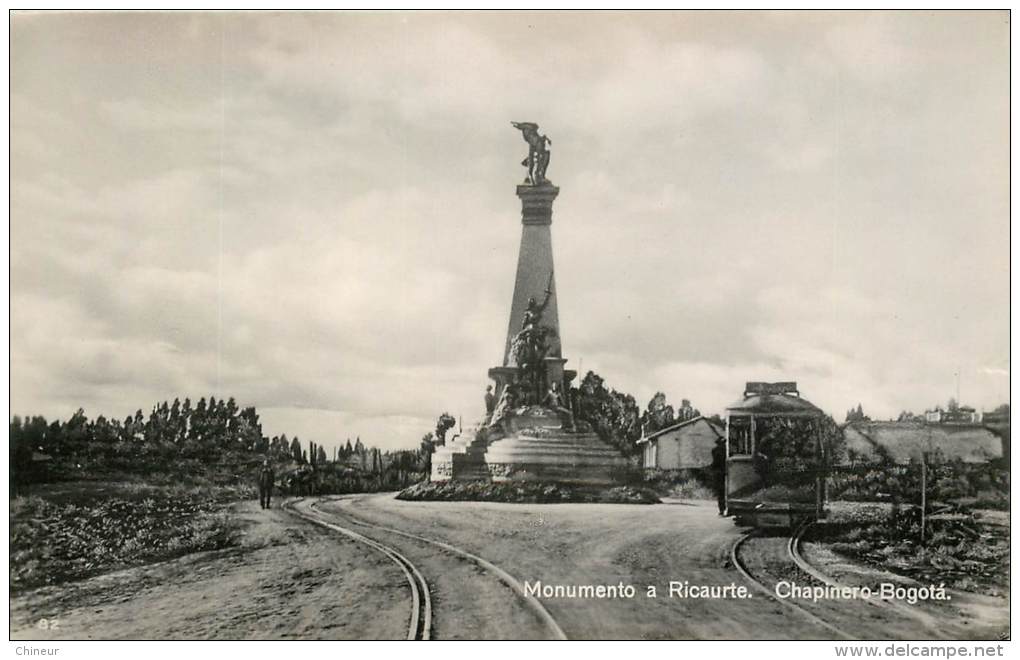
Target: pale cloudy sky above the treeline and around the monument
{"x": 316, "y": 214}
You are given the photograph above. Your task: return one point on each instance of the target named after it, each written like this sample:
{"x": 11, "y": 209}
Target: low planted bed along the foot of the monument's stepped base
{"x": 526, "y": 493}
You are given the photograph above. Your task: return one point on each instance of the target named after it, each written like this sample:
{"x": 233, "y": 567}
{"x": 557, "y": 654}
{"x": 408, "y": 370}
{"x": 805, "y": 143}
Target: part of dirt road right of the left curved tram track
{"x": 591, "y": 544}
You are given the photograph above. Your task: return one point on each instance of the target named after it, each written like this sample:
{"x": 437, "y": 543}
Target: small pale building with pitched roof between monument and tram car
{"x": 687, "y": 445}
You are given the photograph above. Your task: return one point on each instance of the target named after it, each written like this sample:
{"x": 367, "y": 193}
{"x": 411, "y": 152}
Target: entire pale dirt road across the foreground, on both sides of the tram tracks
{"x": 293, "y": 580}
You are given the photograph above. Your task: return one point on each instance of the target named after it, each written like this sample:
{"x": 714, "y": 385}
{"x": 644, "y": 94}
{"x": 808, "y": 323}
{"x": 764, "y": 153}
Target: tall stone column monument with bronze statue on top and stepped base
{"x": 530, "y": 431}
